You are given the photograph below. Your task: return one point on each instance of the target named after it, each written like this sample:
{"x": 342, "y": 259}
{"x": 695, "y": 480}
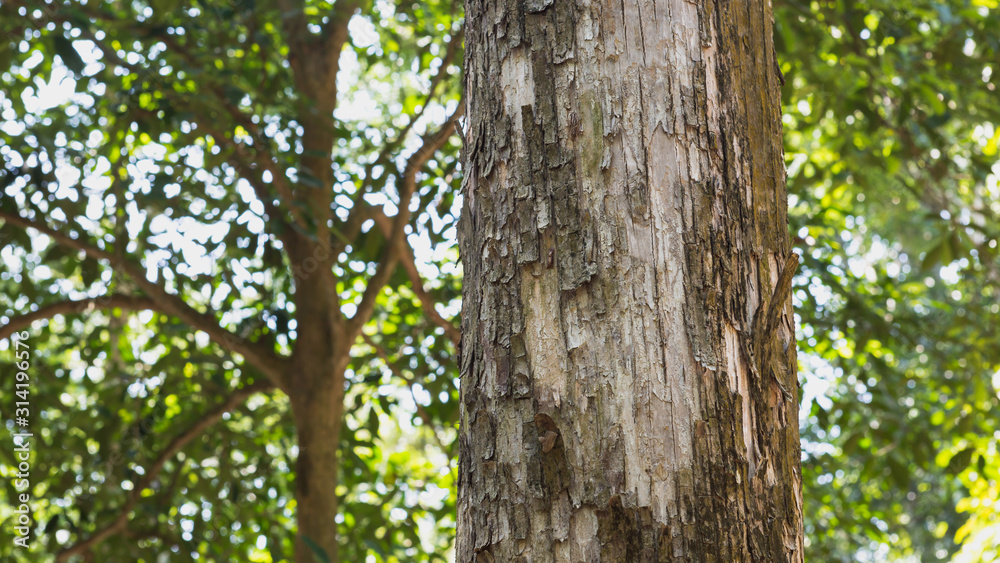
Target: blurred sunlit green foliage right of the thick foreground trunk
{"x": 891, "y": 124}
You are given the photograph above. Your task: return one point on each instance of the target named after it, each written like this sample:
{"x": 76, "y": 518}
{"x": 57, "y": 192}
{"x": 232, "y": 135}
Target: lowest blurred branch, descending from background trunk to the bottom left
{"x": 120, "y": 523}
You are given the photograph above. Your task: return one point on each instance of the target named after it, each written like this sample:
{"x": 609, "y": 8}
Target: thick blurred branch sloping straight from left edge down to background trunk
{"x": 264, "y": 359}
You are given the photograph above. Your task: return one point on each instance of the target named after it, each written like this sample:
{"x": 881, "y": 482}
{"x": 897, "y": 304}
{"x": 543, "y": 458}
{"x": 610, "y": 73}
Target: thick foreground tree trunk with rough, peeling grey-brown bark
{"x": 628, "y": 395}
